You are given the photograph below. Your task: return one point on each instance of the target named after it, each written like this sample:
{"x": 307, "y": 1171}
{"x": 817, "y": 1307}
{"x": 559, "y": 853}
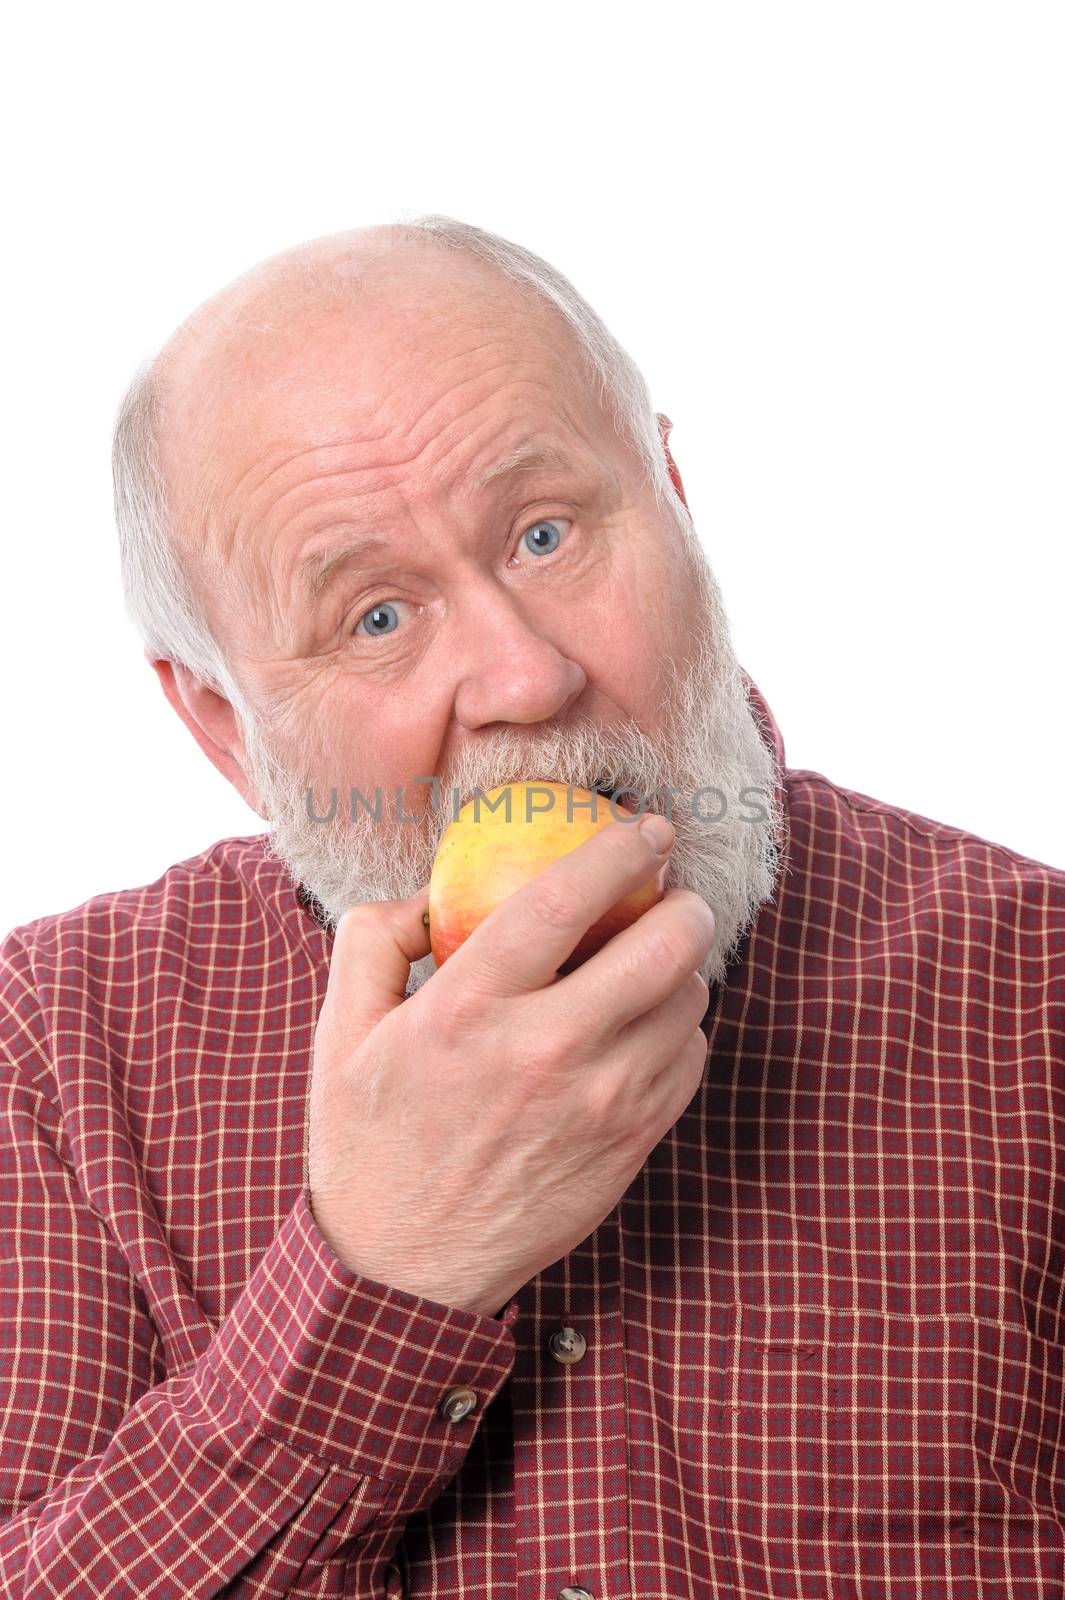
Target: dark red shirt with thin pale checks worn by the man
{"x": 816, "y": 1350}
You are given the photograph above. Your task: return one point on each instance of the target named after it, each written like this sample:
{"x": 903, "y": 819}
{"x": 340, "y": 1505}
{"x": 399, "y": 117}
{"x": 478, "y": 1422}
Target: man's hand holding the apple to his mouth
{"x": 468, "y": 1138}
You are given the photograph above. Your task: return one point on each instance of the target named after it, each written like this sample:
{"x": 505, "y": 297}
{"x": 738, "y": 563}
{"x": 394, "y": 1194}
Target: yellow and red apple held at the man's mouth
{"x": 485, "y": 855}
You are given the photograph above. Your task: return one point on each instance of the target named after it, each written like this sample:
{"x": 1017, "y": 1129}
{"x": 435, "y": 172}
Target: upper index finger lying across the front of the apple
{"x": 524, "y": 942}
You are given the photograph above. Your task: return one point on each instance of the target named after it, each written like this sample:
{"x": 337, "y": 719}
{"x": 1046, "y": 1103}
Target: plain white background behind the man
{"x": 832, "y": 236}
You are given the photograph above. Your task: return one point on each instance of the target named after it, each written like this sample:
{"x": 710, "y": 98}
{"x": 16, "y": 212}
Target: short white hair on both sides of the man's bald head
{"x": 159, "y": 594}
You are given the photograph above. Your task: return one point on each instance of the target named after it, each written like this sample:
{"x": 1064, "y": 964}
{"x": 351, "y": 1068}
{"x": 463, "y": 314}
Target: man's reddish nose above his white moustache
{"x": 509, "y": 670}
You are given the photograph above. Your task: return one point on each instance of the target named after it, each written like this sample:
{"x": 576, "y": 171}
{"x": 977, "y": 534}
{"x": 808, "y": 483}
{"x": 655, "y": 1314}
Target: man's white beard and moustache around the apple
{"x": 711, "y": 742}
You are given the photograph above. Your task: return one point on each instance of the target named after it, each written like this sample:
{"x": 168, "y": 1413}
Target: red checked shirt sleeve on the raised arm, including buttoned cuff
{"x": 287, "y": 1460}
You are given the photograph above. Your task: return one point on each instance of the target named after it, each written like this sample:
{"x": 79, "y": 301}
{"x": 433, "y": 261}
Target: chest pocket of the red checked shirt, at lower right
{"x": 871, "y": 1457}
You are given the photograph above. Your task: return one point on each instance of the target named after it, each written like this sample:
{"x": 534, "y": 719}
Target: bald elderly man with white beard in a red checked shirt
{"x": 727, "y": 1263}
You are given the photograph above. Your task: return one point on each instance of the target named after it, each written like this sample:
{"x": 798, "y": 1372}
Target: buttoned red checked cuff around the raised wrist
{"x": 353, "y": 1370}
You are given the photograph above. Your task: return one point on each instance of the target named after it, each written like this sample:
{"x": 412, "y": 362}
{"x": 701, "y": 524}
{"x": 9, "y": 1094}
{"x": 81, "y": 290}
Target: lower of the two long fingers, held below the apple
{"x": 639, "y": 969}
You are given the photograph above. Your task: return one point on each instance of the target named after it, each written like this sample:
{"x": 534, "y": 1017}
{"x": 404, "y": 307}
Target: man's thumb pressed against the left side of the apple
{"x": 373, "y": 950}
